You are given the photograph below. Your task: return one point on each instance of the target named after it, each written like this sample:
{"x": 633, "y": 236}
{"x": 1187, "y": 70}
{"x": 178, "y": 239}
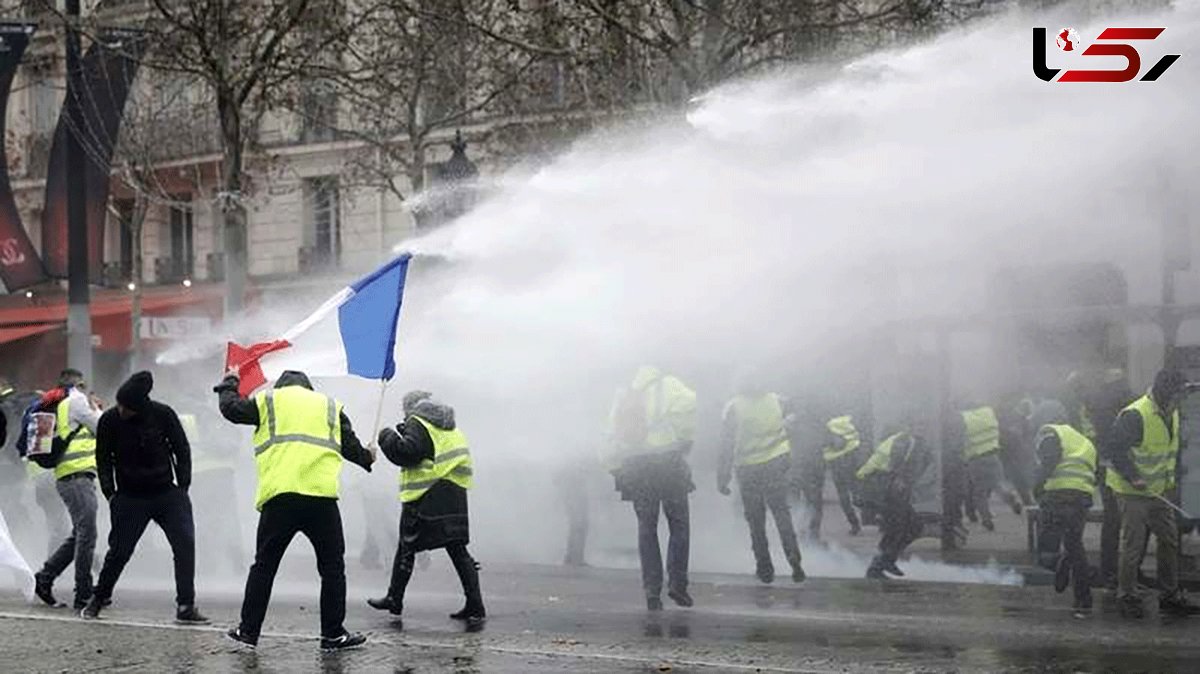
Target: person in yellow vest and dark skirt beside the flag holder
{"x": 436, "y": 473}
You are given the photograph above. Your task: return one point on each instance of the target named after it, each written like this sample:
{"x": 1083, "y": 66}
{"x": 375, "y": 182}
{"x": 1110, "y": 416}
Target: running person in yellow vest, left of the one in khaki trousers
{"x": 1065, "y": 485}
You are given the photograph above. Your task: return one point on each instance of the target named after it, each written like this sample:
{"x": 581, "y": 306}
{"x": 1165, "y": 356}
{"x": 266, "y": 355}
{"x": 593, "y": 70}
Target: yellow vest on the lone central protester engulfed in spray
{"x": 670, "y": 412}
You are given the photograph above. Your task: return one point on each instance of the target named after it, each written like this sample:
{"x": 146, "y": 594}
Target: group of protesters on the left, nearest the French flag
{"x": 141, "y": 454}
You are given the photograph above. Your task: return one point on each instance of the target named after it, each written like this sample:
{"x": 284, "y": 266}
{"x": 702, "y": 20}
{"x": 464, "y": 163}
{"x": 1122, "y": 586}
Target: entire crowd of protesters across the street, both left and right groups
{"x": 1055, "y": 453}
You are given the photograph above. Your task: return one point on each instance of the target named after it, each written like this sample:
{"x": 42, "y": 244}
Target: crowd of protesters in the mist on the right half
{"x": 1057, "y": 453}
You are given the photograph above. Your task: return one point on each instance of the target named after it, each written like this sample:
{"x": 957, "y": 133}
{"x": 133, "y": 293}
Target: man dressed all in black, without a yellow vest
{"x": 145, "y": 465}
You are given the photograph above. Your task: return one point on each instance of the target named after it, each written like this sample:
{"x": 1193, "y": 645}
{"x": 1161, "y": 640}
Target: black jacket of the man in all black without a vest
{"x": 143, "y": 455}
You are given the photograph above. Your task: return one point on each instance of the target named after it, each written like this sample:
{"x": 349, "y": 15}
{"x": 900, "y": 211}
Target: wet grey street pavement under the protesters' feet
{"x": 553, "y": 619}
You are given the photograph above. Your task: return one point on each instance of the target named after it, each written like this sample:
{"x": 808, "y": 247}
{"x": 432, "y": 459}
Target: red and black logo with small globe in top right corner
{"x": 1107, "y": 45}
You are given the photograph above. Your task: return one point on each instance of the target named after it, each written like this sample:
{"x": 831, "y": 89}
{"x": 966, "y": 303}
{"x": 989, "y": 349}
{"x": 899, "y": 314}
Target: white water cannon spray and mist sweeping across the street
{"x": 781, "y": 225}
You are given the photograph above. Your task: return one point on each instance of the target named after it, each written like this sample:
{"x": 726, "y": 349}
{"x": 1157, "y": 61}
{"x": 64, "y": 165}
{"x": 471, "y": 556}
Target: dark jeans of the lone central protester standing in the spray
{"x": 679, "y": 522}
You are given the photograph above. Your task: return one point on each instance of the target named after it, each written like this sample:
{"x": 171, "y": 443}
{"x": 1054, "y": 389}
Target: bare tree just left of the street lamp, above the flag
{"x": 415, "y": 69}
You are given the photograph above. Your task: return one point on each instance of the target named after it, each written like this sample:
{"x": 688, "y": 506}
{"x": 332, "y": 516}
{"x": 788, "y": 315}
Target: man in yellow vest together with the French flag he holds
{"x": 302, "y": 438}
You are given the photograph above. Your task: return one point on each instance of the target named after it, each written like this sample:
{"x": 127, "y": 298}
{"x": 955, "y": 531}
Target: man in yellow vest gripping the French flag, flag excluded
{"x": 301, "y": 440}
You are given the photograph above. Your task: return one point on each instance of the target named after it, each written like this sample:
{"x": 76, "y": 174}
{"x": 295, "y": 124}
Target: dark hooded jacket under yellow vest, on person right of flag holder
{"x": 440, "y": 517}
